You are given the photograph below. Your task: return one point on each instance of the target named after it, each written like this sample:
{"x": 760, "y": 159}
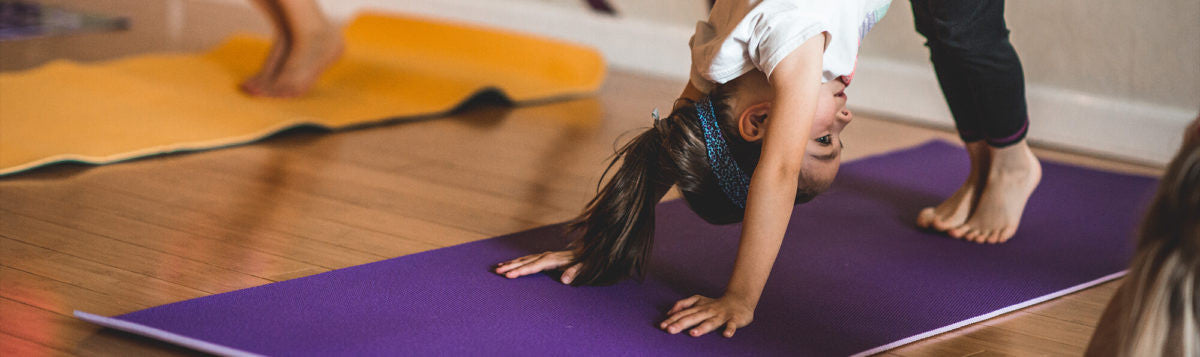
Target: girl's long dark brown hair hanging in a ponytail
{"x": 617, "y": 226}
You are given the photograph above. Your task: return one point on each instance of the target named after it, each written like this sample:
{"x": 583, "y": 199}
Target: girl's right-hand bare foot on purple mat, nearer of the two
{"x": 1012, "y": 179}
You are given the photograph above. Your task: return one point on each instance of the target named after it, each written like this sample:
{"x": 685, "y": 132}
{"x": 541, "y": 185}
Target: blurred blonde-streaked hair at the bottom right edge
{"x": 1157, "y": 307}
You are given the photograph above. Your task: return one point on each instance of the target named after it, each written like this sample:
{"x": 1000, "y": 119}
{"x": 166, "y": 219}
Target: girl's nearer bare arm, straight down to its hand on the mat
{"x": 796, "y": 82}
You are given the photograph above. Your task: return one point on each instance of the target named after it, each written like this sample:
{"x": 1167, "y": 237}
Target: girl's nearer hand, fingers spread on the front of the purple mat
{"x": 710, "y": 314}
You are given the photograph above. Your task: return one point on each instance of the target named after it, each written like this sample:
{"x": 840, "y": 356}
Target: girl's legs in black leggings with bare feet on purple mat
{"x": 985, "y": 86}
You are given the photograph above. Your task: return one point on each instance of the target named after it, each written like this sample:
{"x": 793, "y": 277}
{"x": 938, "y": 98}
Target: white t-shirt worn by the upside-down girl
{"x": 742, "y": 35}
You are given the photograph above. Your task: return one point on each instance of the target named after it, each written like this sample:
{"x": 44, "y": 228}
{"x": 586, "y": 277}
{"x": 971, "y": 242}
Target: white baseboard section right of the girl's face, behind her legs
{"x": 1073, "y": 120}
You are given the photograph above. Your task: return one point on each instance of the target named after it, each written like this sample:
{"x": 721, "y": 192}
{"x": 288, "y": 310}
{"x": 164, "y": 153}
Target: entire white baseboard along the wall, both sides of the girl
{"x": 1075, "y": 120}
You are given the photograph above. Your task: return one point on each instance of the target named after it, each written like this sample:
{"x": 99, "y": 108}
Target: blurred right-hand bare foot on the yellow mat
{"x": 305, "y": 60}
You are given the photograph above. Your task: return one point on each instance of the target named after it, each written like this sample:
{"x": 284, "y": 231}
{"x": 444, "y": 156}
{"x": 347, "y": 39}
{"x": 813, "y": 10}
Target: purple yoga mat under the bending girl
{"x": 854, "y": 277}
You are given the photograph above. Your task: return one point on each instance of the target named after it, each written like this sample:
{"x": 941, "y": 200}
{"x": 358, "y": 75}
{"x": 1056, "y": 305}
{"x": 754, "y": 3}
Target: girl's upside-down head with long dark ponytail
{"x": 619, "y": 225}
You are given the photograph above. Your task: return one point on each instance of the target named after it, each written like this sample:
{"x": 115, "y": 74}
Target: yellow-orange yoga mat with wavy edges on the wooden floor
{"x": 393, "y": 68}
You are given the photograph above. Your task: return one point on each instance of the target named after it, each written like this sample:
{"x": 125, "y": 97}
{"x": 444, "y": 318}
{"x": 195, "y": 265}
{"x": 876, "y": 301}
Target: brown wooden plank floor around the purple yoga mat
{"x": 123, "y": 238}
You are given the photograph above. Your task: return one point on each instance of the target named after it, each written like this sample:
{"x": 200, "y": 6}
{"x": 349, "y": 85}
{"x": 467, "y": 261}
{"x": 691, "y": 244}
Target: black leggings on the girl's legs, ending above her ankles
{"x": 977, "y": 68}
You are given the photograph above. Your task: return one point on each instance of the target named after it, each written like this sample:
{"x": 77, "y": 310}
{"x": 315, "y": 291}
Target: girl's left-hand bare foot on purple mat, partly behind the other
{"x": 956, "y": 210}
